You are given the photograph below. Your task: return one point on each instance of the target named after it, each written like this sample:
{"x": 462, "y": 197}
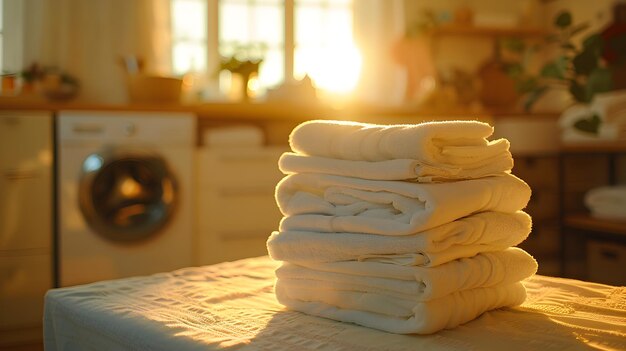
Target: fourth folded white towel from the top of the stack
{"x": 465, "y": 237}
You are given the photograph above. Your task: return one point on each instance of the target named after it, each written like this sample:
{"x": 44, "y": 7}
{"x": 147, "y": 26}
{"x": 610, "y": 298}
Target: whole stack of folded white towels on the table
{"x": 402, "y": 228}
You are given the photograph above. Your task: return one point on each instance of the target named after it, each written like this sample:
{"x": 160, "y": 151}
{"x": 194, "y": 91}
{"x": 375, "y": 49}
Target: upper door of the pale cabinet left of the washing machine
{"x": 25, "y": 181}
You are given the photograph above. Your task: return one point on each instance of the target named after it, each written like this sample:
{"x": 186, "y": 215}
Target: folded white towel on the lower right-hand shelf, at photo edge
{"x": 607, "y": 202}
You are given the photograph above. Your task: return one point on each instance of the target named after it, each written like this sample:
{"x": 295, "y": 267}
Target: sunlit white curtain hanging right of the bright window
{"x": 378, "y": 24}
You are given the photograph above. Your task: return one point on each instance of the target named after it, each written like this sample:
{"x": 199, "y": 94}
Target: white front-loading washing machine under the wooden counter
{"x": 124, "y": 192}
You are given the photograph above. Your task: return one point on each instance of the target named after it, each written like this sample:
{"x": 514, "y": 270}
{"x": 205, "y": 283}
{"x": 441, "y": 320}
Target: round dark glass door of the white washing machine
{"x": 127, "y": 195}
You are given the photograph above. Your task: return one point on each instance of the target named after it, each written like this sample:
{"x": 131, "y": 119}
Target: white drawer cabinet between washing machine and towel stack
{"x": 236, "y": 207}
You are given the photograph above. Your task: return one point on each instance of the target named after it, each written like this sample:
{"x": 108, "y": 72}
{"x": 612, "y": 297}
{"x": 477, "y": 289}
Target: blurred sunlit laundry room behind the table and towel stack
{"x": 181, "y": 109}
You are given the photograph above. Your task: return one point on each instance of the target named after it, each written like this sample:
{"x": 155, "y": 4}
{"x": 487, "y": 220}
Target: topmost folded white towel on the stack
{"x": 443, "y": 143}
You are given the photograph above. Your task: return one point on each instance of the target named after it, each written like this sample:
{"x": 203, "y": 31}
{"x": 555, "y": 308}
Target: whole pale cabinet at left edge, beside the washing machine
{"x": 25, "y": 222}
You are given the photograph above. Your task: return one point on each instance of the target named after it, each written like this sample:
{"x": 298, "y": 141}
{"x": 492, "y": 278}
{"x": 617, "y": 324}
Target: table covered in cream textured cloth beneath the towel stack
{"x": 233, "y": 306}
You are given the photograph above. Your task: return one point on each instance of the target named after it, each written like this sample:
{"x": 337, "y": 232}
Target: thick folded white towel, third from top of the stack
{"x": 327, "y": 203}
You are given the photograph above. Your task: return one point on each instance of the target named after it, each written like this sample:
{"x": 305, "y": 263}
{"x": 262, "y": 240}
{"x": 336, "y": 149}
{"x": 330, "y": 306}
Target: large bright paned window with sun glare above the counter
{"x": 293, "y": 38}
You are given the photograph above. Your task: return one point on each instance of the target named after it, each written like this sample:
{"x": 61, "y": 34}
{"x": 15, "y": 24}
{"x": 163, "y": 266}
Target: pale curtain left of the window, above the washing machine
{"x": 88, "y": 38}
